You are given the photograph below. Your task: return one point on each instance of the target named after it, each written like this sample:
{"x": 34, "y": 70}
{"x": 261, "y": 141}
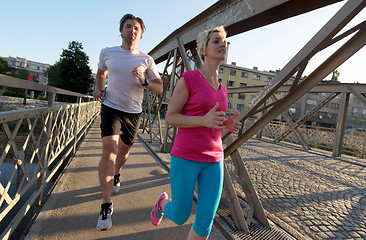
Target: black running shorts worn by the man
{"x": 115, "y": 122}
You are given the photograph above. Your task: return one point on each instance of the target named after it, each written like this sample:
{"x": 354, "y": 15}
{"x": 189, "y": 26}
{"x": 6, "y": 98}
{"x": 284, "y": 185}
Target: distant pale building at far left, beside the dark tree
{"x": 35, "y": 69}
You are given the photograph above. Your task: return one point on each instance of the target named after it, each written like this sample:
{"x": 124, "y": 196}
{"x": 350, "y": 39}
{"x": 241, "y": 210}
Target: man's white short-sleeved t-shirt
{"x": 124, "y": 91}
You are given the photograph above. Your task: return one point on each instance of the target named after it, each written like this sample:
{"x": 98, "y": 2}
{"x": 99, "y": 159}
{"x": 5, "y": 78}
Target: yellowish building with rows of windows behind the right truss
{"x": 232, "y": 75}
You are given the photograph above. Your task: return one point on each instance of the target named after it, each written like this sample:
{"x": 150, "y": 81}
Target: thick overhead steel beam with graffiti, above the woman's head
{"x": 237, "y": 16}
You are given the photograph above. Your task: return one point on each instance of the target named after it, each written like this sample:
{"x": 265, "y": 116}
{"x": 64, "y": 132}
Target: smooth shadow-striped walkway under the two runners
{"x": 73, "y": 208}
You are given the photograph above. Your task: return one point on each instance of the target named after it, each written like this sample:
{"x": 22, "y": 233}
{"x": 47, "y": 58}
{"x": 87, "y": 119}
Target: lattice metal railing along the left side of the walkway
{"x": 34, "y": 145}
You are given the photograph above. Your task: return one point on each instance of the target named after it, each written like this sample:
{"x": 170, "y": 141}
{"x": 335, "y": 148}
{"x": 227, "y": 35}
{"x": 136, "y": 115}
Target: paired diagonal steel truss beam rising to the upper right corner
{"x": 345, "y": 14}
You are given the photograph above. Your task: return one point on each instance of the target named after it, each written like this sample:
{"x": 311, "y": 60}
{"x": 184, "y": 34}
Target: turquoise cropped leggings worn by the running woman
{"x": 183, "y": 177}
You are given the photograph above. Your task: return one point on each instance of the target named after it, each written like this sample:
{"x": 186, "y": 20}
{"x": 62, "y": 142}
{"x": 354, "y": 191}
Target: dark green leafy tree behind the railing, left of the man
{"x": 72, "y": 71}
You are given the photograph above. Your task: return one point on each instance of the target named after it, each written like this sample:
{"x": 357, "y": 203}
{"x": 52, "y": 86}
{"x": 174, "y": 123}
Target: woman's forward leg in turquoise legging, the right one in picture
{"x": 209, "y": 187}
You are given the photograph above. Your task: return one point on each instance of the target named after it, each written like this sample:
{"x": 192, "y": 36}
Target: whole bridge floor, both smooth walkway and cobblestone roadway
{"x": 308, "y": 194}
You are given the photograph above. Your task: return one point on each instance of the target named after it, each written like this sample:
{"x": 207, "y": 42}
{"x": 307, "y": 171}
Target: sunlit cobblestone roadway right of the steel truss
{"x": 320, "y": 197}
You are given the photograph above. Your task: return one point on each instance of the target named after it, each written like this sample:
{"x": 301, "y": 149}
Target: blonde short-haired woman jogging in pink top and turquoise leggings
{"x": 197, "y": 108}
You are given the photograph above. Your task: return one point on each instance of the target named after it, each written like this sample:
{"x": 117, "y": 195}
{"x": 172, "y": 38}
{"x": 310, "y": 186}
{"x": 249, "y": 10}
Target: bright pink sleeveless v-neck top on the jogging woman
{"x": 200, "y": 143}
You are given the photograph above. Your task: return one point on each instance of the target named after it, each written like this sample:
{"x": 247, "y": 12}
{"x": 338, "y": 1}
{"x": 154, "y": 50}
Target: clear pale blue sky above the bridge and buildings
{"x": 38, "y": 30}
